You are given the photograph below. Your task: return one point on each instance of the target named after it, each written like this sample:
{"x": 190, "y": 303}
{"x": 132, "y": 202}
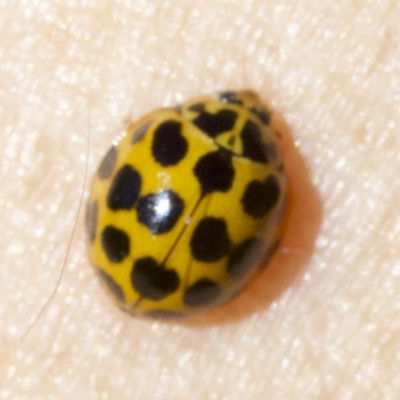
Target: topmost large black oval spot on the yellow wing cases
{"x": 169, "y": 145}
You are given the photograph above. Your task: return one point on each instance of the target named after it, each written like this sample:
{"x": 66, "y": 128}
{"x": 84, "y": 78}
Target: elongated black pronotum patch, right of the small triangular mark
{"x": 253, "y": 145}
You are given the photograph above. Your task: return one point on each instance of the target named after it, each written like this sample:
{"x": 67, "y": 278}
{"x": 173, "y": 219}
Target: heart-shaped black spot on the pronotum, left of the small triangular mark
{"x": 215, "y": 124}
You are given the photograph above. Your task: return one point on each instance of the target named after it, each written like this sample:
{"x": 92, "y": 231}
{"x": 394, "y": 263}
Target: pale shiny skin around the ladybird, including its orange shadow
{"x": 323, "y": 322}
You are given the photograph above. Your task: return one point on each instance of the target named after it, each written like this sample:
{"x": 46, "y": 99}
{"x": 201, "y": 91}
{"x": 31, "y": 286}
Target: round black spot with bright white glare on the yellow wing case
{"x": 160, "y": 211}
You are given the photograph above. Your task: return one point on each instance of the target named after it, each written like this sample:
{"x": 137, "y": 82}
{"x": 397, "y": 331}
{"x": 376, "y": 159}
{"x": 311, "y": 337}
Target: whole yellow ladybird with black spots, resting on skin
{"x": 187, "y": 208}
